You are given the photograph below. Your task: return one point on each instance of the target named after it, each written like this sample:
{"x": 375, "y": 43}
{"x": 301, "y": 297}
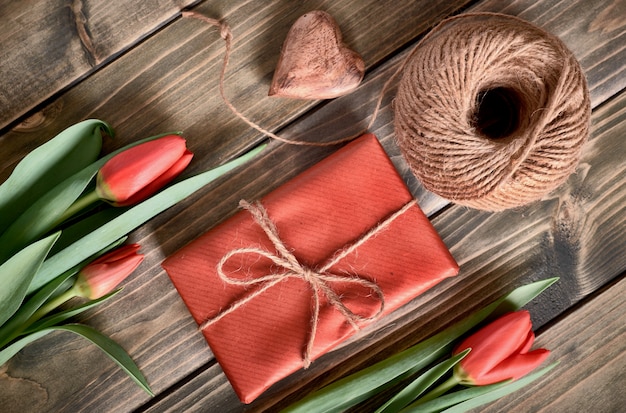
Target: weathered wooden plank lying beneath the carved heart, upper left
{"x": 171, "y": 81}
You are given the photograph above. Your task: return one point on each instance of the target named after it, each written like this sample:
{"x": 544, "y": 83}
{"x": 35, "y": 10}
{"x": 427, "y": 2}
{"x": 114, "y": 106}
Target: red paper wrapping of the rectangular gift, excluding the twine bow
{"x": 317, "y": 213}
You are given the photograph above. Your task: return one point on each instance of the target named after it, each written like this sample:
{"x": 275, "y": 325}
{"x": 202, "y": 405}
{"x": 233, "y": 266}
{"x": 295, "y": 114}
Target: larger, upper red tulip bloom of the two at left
{"x": 137, "y": 173}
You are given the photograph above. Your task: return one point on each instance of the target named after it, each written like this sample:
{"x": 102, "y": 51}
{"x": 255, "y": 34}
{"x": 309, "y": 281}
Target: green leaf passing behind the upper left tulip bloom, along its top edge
{"x": 45, "y": 213}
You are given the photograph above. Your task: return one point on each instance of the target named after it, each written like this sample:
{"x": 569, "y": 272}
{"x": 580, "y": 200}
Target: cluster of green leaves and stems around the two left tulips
{"x": 38, "y": 263}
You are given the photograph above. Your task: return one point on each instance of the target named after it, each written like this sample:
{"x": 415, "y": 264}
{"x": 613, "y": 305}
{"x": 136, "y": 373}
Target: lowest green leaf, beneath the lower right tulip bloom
{"x": 470, "y": 398}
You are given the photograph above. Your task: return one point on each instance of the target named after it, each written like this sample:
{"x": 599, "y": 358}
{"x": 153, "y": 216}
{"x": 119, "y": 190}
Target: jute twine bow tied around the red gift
{"x": 317, "y": 278}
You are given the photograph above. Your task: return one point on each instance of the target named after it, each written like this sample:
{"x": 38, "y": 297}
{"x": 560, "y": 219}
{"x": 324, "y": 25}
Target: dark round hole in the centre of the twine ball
{"x": 497, "y": 112}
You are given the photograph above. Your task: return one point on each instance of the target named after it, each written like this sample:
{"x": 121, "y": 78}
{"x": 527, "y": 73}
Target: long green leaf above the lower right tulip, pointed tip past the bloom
{"x": 360, "y": 386}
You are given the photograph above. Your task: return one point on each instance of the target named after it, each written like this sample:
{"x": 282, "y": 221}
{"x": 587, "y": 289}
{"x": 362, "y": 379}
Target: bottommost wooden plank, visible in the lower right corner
{"x": 587, "y": 377}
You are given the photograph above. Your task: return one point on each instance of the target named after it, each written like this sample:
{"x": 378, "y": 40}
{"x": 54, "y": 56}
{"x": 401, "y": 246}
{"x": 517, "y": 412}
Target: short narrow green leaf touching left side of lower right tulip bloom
{"x": 418, "y": 386}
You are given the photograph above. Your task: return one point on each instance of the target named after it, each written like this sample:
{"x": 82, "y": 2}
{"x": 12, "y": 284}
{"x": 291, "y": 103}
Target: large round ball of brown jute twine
{"x": 491, "y": 111}
